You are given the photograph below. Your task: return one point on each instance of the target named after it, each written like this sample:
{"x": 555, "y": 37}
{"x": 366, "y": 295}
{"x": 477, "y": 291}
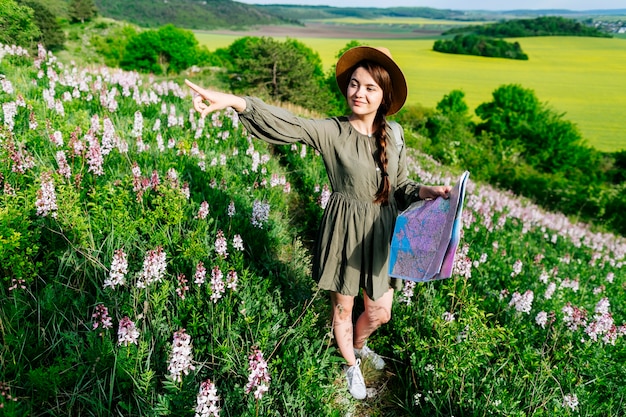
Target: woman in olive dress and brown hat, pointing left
{"x": 366, "y": 169}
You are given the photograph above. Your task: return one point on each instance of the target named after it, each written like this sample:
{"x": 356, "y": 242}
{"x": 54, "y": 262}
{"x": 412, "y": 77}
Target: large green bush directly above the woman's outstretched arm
{"x": 285, "y": 71}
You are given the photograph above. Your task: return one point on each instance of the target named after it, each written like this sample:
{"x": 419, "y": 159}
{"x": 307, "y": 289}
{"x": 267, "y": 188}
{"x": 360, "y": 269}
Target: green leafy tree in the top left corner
{"x": 17, "y": 26}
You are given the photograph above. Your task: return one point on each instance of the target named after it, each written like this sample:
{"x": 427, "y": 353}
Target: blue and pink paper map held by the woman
{"x": 426, "y": 237}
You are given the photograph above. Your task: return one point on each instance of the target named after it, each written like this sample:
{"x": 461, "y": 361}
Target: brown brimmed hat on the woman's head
{"x": 381, "y": 56}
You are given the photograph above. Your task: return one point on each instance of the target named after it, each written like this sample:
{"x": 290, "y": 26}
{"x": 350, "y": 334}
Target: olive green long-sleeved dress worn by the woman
{"x": 352, "y": 249}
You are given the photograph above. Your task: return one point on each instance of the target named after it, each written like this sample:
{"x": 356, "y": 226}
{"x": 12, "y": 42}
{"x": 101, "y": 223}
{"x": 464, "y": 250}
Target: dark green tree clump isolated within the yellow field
{"x": 480, "y": 46}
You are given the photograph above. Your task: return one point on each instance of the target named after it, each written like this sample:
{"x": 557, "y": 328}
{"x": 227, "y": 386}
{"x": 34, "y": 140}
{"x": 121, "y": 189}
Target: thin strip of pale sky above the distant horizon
{"x": 461, "y": 4}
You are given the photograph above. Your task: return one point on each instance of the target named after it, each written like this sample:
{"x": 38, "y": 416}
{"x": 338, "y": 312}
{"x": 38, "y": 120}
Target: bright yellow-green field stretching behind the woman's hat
{"x": 585, "y": 78}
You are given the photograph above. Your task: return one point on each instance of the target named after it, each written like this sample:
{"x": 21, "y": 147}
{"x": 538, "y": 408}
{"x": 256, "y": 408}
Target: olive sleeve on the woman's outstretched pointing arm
{"x": 281, "y": 127}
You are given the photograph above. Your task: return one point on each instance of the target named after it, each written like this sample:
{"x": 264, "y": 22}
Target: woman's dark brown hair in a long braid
{"x": 382, "y": 78}
